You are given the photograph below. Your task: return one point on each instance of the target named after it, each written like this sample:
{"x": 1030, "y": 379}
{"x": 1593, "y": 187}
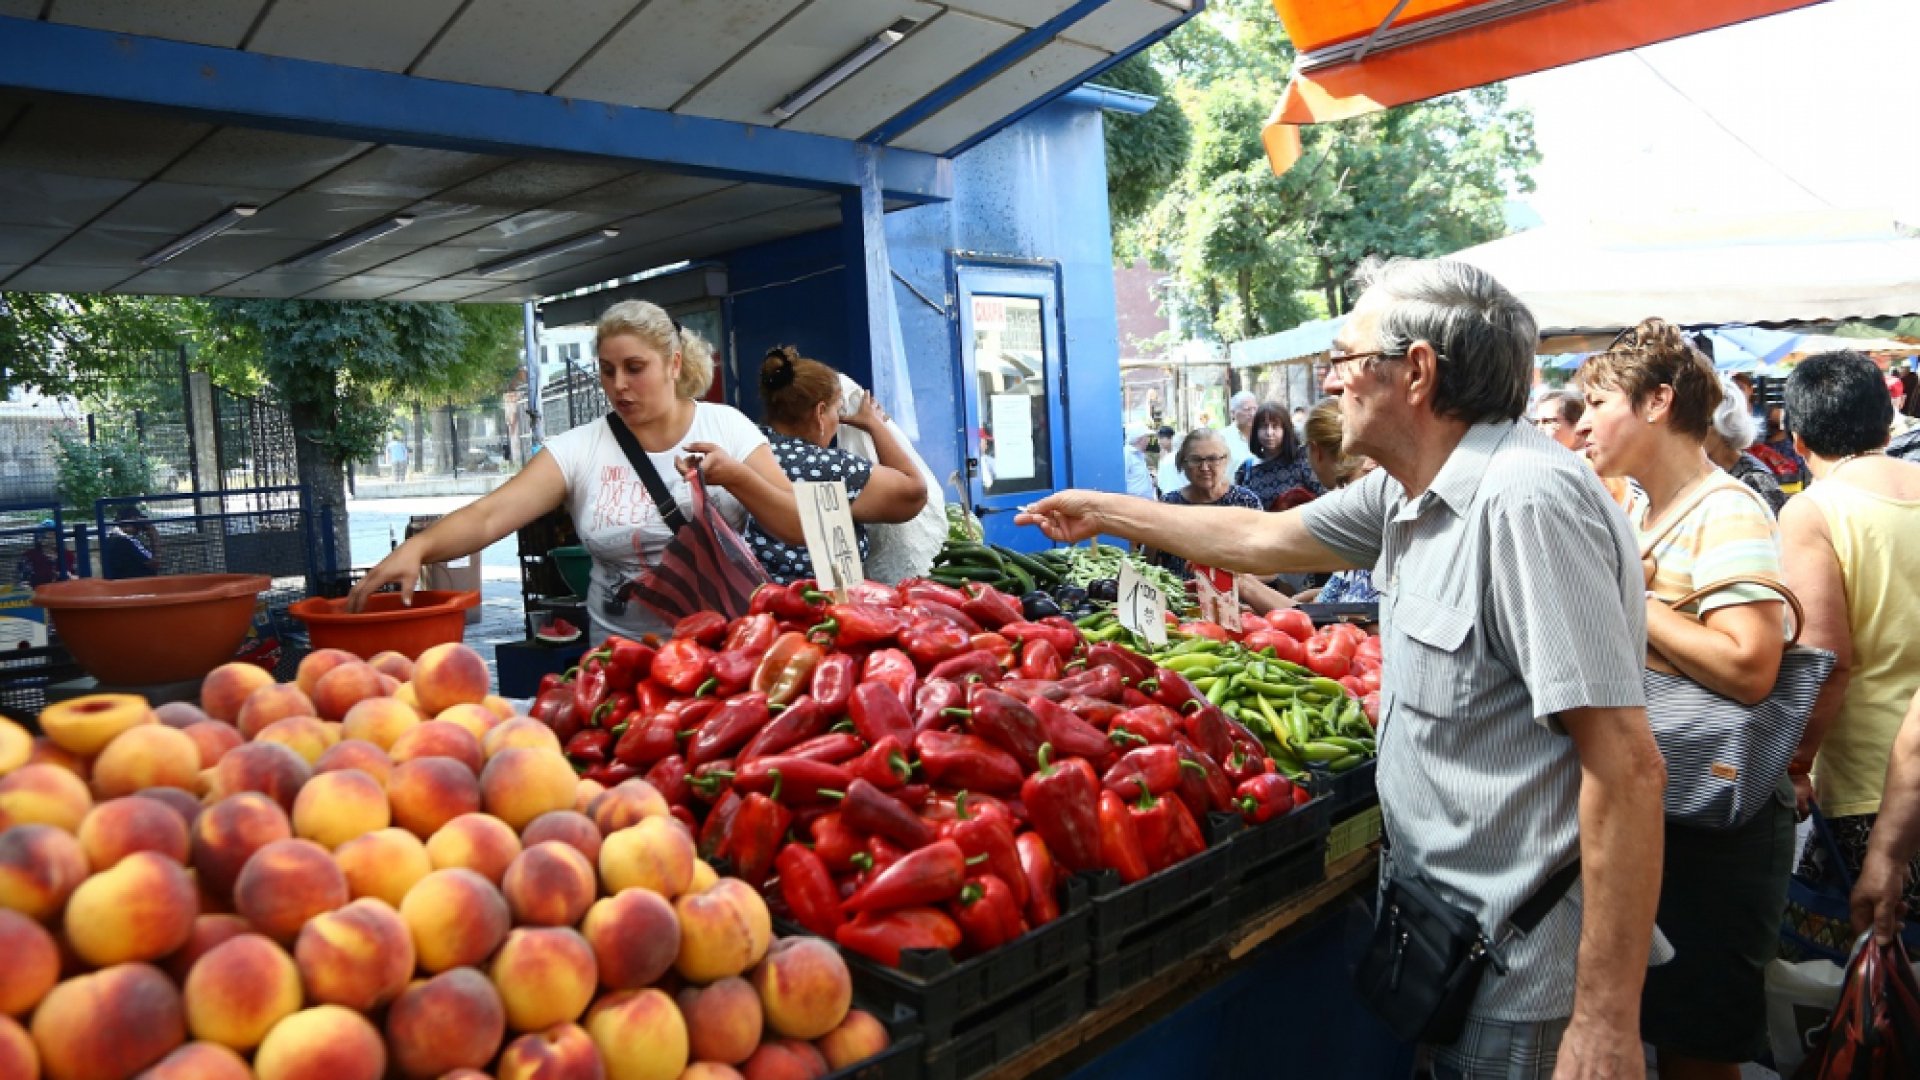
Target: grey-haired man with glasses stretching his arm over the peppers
{"x": 1516, "y": 752}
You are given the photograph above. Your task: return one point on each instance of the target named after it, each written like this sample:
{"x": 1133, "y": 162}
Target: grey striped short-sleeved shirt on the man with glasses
{"x": 1510, "y": 593}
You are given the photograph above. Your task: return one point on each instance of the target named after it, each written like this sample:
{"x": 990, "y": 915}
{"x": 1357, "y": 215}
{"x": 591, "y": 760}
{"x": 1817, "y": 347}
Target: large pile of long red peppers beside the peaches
{"x": 917, "y": 768}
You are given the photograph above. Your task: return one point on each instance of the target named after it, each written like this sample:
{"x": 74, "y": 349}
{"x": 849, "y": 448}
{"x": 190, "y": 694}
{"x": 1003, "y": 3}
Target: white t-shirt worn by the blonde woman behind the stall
{"x": 617, "y": 520}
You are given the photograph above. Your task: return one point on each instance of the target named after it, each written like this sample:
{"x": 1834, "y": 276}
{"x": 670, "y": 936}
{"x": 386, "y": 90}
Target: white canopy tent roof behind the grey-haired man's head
{"x": 1779, "y": 270}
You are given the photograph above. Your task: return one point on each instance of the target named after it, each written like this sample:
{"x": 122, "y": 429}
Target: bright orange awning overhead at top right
{"x": 1358, "y": 57}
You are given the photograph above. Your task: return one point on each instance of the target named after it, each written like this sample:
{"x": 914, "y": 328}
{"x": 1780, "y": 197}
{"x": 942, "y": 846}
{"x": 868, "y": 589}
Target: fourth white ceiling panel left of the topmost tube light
{"x": 383, "y": 36}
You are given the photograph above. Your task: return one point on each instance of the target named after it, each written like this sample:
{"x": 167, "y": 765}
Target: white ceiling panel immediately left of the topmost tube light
{"x": 805, "y": 47}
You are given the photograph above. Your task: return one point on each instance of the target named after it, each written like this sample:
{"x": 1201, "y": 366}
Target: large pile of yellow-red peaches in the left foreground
{"x": 375, "y": 871}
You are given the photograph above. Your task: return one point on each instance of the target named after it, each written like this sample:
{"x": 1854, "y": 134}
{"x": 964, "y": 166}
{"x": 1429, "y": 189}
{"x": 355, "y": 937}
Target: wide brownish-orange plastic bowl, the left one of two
{"x": 149, "y": 631}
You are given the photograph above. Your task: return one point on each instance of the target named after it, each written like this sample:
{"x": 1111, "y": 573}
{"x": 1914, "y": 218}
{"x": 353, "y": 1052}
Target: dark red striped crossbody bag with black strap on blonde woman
{"x": 706, "y": 566}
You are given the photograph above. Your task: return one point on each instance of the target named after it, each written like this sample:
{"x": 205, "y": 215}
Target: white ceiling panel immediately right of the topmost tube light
{"x": 930, "y": 57}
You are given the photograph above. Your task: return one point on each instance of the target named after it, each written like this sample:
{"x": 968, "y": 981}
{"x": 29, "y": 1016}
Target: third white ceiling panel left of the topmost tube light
{"x": 542, "y": 41}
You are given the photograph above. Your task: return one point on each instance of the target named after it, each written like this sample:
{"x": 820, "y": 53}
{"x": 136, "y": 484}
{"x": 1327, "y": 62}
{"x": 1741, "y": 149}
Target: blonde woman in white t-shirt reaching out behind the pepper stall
{"x": 654, "y": 374}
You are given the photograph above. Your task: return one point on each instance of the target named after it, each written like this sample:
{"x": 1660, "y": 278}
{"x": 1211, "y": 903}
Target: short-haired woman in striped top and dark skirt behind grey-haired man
{"x": 1650, "y": 403}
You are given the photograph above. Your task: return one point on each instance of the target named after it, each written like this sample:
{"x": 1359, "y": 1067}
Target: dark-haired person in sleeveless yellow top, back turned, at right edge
{"x": 1852, "y": 547}
